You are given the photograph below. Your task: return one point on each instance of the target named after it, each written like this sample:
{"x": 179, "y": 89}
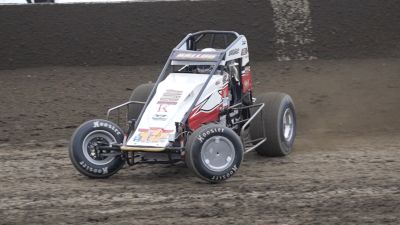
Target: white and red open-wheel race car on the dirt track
{"x": 201, "y": 111}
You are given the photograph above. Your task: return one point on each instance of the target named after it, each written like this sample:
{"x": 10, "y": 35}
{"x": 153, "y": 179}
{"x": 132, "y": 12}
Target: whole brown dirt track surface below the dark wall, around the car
{"x": 345, "y": 168}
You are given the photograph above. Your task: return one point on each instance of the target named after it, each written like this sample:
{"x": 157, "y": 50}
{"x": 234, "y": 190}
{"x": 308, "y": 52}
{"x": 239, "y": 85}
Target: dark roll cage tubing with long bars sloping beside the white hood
{"x": 215, "y": 63}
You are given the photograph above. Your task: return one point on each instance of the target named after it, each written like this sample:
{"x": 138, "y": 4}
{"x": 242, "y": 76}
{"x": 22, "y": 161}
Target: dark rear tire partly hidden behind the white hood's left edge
{"x": 141, "y": 93}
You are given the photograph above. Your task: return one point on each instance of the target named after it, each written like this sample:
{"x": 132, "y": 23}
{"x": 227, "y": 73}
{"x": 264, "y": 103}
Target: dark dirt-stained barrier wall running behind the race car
{"x": 145, "y": 33}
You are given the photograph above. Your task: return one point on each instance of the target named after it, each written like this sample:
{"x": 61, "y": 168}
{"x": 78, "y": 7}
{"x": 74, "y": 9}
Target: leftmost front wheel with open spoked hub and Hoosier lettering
{"x": 84, "y": 155}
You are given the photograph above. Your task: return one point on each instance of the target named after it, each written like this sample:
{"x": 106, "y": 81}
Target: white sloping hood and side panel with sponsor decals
{"x": 172, "y": 100}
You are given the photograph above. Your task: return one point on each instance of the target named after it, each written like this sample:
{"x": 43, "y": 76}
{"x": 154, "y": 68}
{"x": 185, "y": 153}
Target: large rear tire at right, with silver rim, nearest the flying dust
{"x": 279, "y": 118}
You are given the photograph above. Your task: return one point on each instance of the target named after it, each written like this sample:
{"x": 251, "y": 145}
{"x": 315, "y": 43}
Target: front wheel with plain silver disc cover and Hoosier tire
{"x": 214, "y": 152}
